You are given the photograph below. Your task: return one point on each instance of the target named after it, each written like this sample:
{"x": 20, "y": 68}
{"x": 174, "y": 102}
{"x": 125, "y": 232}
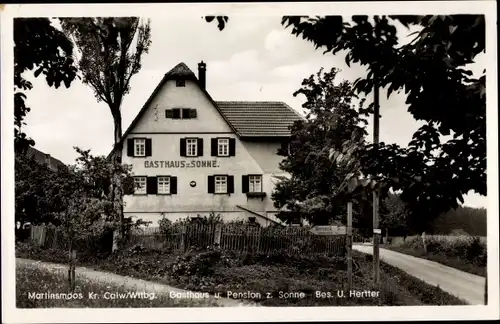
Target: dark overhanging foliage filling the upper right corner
{"x": 440, "y": 89}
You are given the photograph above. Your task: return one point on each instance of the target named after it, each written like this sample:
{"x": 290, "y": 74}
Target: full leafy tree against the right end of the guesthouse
{"x": 313, "y": 190}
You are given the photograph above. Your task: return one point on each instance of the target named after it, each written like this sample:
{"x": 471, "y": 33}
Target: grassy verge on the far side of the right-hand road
{"x": 464, "y": 253}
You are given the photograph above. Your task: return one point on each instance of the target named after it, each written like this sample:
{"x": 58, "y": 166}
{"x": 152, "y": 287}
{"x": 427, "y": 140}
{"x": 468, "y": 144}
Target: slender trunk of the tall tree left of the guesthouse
{"x": 117, "y": 188}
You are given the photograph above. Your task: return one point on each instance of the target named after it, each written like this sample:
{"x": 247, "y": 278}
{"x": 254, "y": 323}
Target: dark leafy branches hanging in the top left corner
{"x": 40, "y": 46}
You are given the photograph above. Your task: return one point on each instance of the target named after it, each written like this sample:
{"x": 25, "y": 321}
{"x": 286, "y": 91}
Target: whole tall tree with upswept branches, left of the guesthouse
{"x": 108, "y": 60}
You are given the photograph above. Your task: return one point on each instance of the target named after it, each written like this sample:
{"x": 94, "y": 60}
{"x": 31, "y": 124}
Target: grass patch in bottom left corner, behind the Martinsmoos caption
{"x": 33, "y": 282}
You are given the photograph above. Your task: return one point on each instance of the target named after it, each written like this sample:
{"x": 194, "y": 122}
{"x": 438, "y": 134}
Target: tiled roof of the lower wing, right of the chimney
{"x": 259, "y": 118}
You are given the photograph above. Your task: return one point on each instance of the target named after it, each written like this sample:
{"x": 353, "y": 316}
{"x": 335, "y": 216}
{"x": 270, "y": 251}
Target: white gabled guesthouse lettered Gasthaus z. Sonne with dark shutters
{"x": 192, "y": 156}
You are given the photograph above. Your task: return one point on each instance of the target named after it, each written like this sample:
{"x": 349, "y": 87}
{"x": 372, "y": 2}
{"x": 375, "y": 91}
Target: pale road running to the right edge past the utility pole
{"x": 461, "y": 284}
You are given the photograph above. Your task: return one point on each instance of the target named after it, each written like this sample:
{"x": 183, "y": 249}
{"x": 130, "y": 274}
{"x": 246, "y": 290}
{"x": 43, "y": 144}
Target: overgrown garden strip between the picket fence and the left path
{"x": 266, "y": 276}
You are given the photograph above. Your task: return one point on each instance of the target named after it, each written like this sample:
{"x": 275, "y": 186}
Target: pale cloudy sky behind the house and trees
{"x": 253, "y": 58}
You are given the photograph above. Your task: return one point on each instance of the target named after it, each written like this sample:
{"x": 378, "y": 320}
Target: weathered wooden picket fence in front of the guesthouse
{"x": 239, "y": 238}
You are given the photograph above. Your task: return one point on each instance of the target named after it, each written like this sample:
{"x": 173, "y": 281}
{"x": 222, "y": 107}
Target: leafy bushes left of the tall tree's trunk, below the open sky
{"x": 74, "y": 198}
